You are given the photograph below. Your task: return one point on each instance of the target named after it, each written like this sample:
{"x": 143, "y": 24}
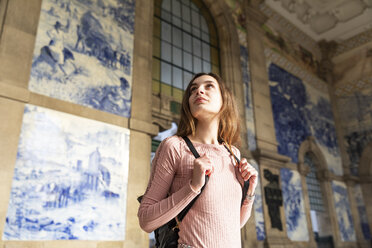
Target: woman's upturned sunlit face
{"x": 205, "y": 97}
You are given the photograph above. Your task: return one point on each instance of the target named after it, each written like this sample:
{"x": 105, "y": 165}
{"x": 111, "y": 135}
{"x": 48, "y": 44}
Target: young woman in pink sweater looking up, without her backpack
{"x": 209, "y": 118}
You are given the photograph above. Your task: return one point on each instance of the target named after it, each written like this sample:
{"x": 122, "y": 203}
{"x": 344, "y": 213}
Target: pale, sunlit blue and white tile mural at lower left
{"x": 70, "y": 179}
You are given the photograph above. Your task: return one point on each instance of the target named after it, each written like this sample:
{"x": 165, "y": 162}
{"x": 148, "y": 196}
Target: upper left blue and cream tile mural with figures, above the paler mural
{"x": 83, "y": 53}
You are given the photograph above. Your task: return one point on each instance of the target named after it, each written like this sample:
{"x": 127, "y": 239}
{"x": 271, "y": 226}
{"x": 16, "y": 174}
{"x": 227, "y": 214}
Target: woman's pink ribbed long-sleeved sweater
{"x": 216, "y": 217}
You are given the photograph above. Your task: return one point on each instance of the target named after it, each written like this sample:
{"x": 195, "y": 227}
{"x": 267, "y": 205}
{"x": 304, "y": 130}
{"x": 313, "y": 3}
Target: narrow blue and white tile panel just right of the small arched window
{"x": 344, "y": 218}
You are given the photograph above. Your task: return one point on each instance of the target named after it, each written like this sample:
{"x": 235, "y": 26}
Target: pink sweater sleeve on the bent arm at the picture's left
{"x": 157, "y": 208}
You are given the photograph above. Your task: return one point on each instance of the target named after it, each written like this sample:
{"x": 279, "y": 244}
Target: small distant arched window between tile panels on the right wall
{"x": 313, "y": 185}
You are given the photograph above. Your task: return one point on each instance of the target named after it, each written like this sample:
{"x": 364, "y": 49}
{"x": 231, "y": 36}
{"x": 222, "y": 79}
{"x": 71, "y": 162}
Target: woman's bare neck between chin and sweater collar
{"x": 206, "y": 132}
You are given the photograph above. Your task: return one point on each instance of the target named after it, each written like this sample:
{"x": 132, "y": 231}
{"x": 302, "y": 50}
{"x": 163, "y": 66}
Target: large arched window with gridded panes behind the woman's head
{"x": 184, "y": 43}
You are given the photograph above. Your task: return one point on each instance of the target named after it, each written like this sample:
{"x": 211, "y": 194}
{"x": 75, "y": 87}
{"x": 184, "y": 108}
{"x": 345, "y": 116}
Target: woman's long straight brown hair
{"x": 229, "y": 125}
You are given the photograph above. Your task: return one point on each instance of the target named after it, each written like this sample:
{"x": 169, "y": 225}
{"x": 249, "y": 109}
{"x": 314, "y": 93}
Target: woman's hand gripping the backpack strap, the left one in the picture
{"x": 202, "y": 166}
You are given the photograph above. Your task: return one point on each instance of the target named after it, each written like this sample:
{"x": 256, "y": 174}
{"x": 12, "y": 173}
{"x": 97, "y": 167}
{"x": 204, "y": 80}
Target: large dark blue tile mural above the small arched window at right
{"x": 300, "y": 111}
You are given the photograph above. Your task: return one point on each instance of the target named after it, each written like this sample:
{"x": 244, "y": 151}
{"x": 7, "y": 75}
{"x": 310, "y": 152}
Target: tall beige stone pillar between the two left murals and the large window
{"x": 140, "y": 122}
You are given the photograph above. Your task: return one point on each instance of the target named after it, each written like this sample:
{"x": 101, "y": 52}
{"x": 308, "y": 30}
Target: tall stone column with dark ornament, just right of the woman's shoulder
{"x": 266, "y": 154}
